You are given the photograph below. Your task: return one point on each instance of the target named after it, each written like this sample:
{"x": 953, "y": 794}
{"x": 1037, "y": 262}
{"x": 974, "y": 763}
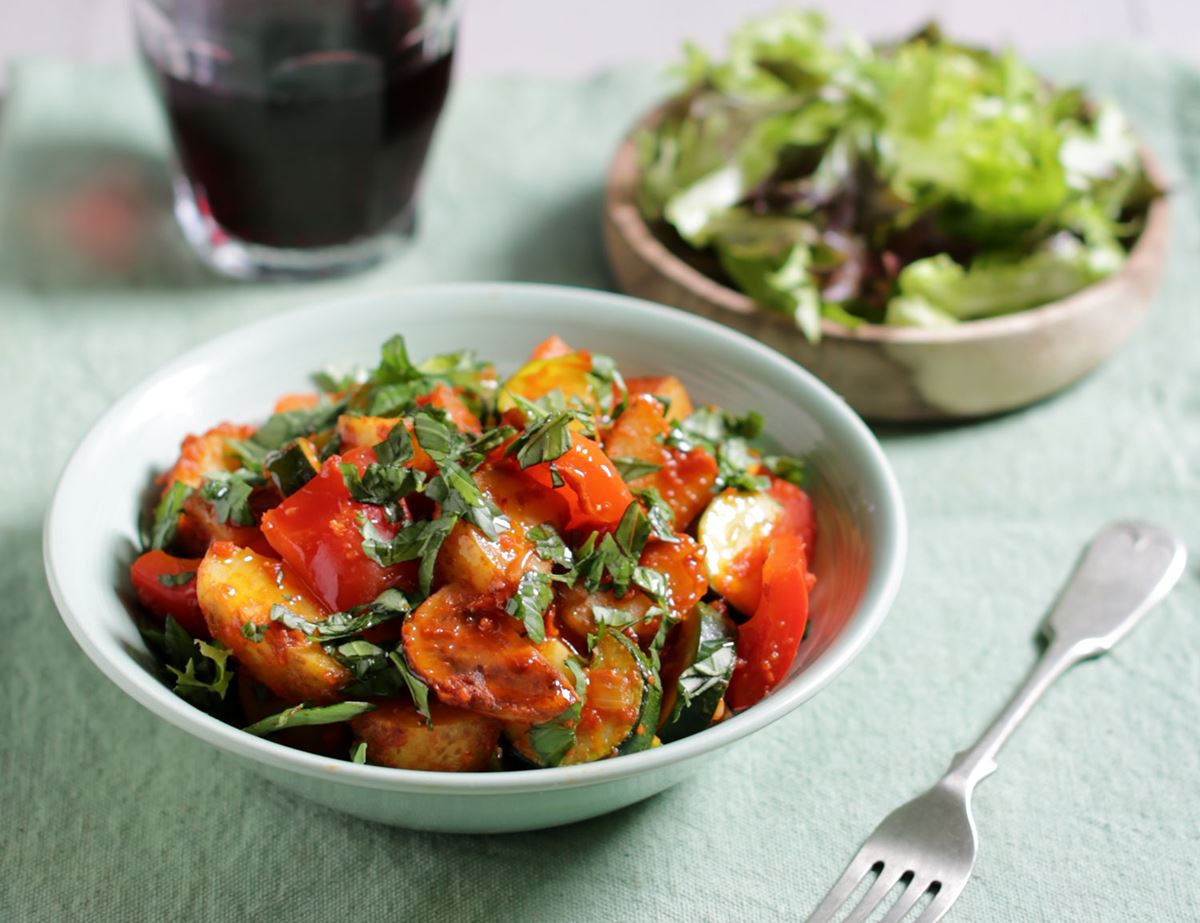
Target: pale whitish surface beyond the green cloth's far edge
{"x": 574, "y": 38}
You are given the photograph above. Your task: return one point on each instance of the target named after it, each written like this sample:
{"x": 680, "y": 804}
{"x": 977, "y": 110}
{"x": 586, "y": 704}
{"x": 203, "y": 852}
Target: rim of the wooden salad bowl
{"x": 622, "y": 212}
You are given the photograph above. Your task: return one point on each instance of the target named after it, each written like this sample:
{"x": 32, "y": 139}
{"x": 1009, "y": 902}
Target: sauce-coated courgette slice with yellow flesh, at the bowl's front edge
{"x": 622, "y": 697}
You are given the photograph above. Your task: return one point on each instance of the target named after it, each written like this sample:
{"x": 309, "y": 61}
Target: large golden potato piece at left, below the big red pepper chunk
{"x": 238, "y": 588}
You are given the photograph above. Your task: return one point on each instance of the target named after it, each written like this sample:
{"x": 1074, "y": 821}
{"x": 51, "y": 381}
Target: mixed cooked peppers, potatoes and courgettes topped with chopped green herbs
{"x": 425, "y": 567}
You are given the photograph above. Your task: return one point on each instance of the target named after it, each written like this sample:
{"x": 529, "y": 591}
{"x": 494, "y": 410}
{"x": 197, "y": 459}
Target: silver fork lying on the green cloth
{"x": 929, "y": 844}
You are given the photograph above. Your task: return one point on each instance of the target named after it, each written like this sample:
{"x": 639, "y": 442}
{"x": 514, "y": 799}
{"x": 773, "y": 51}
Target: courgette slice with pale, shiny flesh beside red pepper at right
{"x": 736, "y": 535}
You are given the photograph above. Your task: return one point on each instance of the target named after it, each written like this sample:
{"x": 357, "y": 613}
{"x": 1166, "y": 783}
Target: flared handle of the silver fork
{"x": 1126, "y": 570}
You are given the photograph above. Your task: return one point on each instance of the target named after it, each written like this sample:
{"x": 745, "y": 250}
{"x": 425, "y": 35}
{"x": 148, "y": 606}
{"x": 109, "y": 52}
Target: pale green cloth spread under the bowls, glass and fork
{"x": 110, "y": 814}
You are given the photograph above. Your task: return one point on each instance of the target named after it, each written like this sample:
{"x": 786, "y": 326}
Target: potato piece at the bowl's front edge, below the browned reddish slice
{"x": 399, "y": 738}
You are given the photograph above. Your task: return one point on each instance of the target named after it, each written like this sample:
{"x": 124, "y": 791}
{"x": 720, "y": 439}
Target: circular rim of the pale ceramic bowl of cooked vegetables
{"x": 890, "y": 538}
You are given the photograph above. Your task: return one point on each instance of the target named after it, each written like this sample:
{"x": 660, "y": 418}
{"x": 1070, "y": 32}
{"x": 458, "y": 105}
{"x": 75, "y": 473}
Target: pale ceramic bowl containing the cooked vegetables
{"x": 91, "y": 536}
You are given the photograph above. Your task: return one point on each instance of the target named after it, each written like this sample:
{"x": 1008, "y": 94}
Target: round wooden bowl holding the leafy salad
{"x": 896, "y": 374}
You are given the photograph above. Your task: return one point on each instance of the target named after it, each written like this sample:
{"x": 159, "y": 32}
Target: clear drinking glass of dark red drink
{"x": 299, "y": 127}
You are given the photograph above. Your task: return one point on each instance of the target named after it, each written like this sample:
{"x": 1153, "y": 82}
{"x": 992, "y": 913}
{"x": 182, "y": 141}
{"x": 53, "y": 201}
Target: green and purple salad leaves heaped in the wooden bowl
{"x": 915, "y": 184}
